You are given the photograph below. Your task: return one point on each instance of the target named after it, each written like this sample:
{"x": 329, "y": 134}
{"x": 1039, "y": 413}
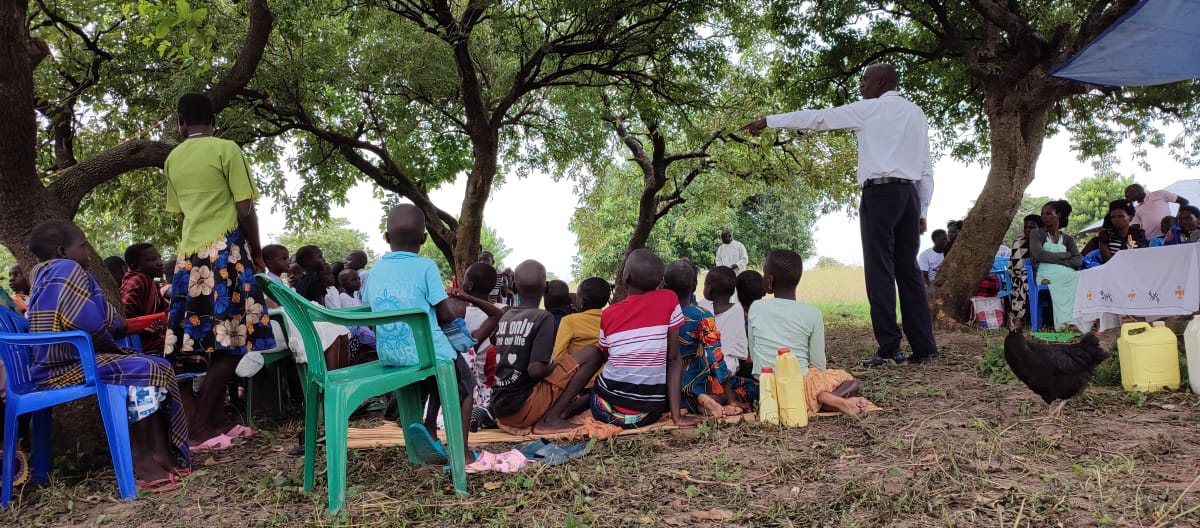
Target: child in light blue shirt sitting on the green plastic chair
{"x": 400, "y": 280}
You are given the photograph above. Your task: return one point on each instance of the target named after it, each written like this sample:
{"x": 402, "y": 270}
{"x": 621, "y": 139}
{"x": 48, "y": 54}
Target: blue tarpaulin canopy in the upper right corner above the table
{"x": 1156, "y": 43}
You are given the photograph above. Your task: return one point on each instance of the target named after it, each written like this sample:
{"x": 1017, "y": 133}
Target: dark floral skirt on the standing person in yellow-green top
{"x": 217, "y": 307}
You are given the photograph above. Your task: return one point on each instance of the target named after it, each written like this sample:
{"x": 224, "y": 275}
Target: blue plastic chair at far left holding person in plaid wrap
{"x": 25, "y": 398}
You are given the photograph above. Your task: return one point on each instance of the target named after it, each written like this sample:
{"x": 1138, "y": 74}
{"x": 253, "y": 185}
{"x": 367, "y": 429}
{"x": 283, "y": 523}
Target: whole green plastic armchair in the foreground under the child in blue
{"x": 343, "y": 391}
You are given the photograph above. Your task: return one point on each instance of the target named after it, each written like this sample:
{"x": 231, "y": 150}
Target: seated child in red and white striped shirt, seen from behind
{"x": 644, "y": 374}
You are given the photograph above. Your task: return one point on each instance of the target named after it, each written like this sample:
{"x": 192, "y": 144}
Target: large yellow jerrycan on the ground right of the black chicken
{"x": 1150, "y": 362}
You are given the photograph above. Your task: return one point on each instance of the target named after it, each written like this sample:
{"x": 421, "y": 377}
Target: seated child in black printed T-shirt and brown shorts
{"x": 533, "y": 391}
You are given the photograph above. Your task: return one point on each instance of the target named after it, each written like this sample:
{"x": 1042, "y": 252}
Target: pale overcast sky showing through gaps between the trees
{"x": 532, "y": 214}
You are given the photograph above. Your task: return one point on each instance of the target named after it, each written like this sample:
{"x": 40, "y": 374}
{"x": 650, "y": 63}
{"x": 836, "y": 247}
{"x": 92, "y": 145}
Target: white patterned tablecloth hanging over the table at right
{"x": 1149, "y": 283}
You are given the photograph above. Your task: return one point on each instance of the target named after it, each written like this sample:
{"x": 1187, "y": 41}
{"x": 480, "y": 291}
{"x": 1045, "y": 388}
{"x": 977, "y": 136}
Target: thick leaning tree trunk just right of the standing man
{"x": 1017, "y": 134}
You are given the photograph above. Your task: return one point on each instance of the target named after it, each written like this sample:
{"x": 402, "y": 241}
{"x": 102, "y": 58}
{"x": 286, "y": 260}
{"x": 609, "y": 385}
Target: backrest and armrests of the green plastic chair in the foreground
{"x": 304, "y": 314}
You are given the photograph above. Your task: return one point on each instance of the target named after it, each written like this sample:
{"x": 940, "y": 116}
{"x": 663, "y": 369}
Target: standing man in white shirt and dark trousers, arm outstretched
{"x": 897, "y": 176}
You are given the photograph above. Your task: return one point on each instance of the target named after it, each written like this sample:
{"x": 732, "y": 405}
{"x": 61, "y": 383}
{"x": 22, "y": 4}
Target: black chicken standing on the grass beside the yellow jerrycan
{"x": 1057, "y": 373}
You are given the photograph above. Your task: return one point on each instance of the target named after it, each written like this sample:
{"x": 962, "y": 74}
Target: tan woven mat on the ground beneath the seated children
{"x": 391, "y": 434}
